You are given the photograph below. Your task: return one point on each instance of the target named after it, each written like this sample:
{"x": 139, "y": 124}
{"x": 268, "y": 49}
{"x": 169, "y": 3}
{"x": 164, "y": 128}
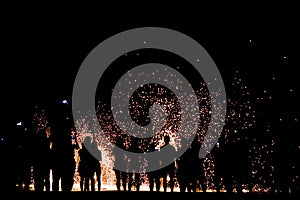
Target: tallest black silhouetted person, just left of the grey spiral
{"x": 63, "y": 161}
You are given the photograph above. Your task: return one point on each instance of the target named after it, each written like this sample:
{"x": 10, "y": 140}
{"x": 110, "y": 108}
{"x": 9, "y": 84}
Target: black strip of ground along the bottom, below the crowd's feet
{"x": 154, "y": 195}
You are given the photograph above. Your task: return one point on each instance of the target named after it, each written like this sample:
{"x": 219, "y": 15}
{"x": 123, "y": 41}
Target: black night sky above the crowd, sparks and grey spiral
{"x": 43, "y": 47}
